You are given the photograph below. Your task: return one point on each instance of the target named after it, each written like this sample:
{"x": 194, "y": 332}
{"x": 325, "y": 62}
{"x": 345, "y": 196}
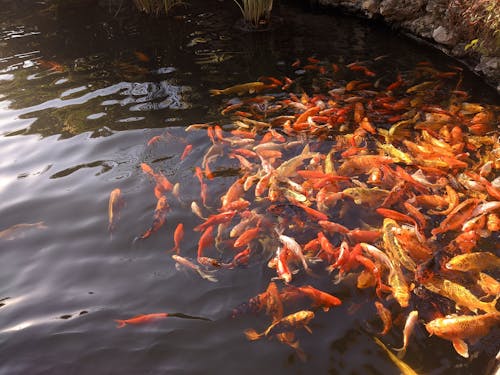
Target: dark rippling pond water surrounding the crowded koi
{"x": 73, "y": 133}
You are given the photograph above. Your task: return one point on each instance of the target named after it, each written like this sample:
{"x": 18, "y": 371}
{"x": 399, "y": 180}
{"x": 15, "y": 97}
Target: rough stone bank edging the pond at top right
{"x": 429, "y": 21}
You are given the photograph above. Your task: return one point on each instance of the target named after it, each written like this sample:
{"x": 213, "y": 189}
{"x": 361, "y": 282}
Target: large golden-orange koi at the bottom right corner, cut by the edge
{"x": 457, "y": 328}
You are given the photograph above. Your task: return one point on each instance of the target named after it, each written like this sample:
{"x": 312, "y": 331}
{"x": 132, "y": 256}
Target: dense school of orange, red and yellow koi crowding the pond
{"x": 341, "y": 173}
